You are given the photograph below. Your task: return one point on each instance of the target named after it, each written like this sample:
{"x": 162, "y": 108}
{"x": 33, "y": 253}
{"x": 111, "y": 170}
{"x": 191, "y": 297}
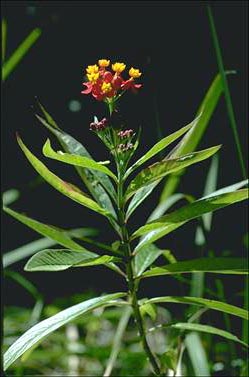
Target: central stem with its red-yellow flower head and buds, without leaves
{"x": 108, "y": 87}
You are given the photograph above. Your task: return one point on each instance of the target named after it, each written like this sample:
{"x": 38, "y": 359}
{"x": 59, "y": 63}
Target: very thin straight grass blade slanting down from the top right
{"x": 227, "y": 94}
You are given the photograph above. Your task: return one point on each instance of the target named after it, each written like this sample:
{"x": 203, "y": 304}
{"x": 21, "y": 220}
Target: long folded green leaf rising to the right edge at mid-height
{"x": 166, "y": 224}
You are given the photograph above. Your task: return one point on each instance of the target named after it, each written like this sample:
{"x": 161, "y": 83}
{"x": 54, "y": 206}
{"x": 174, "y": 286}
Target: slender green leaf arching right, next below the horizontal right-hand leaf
{"x": 210, "y": 304}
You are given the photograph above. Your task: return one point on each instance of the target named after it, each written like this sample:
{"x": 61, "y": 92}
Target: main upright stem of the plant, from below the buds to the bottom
{"x": 132, "y": 284}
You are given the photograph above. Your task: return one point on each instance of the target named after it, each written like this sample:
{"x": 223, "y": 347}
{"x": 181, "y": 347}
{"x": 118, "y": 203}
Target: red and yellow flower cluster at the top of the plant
{"x": 104, "y": 84}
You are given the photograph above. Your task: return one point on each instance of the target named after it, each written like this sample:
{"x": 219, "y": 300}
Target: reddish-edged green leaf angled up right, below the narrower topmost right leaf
{"x": 161, "y": 169}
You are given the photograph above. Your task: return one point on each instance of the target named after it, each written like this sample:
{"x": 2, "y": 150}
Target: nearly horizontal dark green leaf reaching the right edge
{"x": 214, "y": 265}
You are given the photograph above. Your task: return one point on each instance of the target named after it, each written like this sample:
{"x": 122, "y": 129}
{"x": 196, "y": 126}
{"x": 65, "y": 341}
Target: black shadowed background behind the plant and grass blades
{"x": 171, "y": 43}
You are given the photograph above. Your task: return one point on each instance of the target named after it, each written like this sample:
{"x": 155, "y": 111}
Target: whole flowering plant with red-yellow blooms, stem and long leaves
{"x": 116, "y": 195}
